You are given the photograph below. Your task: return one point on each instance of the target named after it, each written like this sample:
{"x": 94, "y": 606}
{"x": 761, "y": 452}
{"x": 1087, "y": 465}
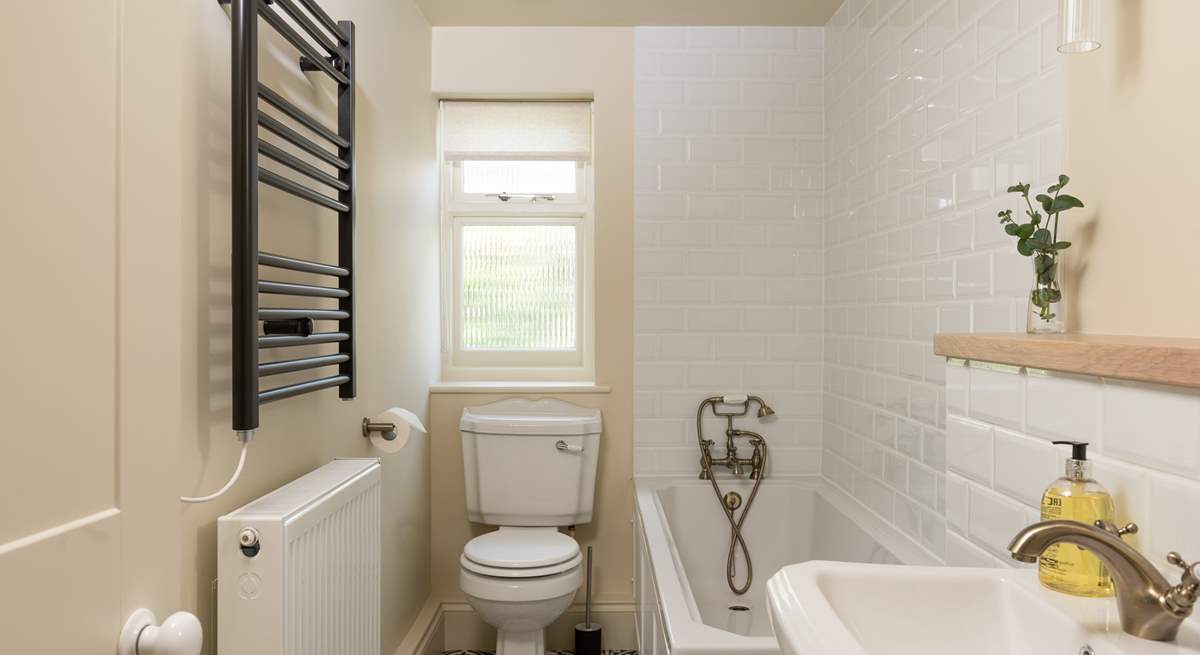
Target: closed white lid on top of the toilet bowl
{"x": 521, "y": 552}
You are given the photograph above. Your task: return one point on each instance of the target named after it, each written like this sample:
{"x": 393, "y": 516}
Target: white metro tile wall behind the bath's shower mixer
{"x": 729, "y": 256}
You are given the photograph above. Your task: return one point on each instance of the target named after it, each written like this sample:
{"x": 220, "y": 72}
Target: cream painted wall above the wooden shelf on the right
{"x": 1132, "y": 131}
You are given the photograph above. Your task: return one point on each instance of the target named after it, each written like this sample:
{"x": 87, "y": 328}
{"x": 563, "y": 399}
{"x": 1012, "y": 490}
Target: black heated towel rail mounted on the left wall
{"x": 320, "y": 155}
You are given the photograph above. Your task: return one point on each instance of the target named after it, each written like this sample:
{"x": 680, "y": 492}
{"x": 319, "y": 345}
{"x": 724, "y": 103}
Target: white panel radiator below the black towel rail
{"x": 299, "y": 568}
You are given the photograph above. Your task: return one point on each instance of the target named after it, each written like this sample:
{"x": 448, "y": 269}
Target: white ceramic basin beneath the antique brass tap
{"x": 844, "y": 609}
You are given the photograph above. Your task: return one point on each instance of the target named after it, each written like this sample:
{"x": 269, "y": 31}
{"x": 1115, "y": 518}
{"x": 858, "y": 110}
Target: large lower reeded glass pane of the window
{"x": 519, "y": 287}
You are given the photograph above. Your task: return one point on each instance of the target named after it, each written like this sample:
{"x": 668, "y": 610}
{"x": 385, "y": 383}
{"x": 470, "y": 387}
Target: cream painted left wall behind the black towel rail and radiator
{"x": 397, "y": 290}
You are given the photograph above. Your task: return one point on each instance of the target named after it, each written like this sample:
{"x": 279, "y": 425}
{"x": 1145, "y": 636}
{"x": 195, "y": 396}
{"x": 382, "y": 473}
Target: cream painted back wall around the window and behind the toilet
{"x": 557, "y": 63}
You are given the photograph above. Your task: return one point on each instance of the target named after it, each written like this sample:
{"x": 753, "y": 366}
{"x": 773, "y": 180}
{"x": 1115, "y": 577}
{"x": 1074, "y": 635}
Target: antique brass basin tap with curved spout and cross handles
{"x": 1150, "y": 606}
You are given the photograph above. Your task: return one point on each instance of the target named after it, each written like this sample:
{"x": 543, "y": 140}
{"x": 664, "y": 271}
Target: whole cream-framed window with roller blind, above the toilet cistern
{"x": 517, "y": 226}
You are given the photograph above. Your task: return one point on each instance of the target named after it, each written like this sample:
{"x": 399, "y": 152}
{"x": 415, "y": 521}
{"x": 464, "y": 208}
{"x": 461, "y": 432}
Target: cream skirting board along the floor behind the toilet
{"x": 448, "y": 624}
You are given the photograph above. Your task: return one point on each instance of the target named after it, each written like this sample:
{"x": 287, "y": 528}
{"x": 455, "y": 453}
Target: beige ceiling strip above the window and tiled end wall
{"x": 628, "y": 13}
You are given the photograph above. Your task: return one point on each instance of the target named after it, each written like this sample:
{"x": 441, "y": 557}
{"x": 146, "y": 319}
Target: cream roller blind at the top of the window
{"x": 507, "y": 131}
